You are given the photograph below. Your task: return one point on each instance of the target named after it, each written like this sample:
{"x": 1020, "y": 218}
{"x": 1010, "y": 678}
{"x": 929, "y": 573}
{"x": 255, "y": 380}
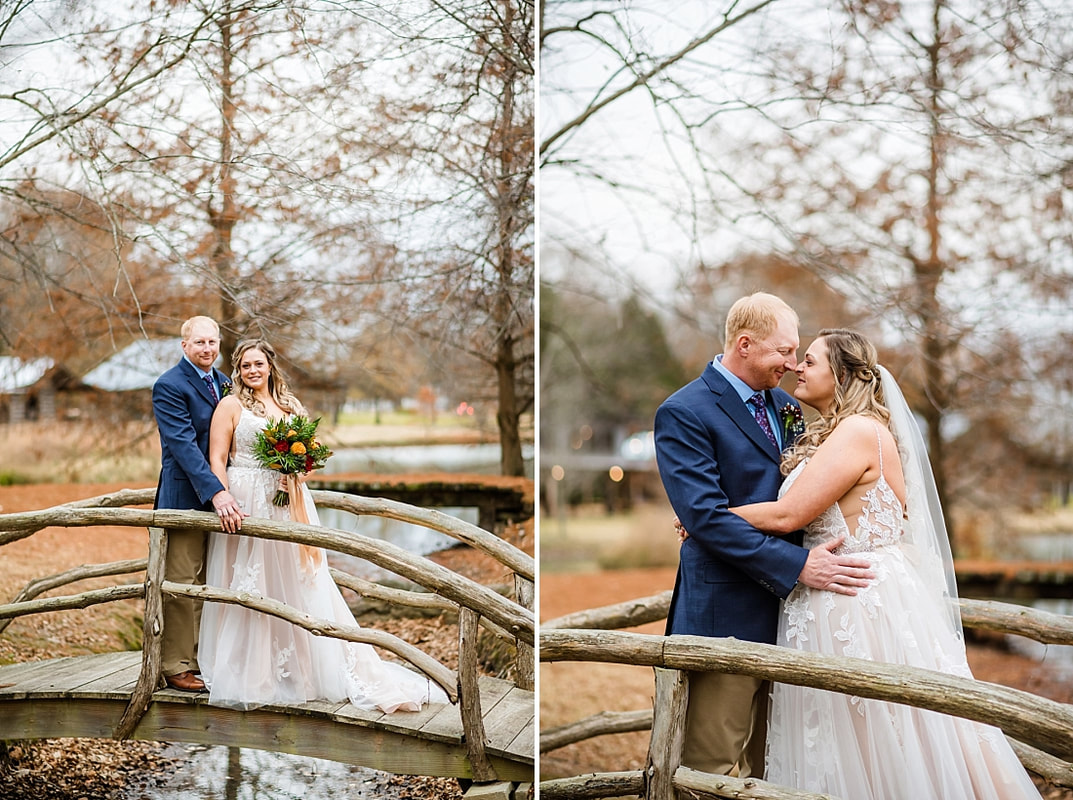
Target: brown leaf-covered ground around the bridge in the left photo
{"x": 92, "y": 769}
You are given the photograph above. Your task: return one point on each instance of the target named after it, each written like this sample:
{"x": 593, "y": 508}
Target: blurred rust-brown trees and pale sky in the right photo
{"x": 902, "y": 168}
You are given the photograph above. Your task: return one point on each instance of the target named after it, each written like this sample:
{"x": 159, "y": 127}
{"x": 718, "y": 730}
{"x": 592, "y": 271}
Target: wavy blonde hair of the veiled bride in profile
{"x": 858, "y": 391}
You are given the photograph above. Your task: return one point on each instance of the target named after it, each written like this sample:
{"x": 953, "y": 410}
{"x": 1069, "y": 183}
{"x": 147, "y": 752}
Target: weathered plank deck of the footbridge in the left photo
{"x": 86, "y": 698}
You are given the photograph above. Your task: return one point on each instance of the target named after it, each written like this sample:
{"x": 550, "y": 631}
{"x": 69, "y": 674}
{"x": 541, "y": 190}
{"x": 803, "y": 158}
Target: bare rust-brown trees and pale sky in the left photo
{"x": 351, "y": 181}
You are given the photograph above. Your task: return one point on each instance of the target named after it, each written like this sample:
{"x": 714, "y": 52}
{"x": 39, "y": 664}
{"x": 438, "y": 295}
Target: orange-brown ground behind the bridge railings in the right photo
{"x": 569, "y": 692}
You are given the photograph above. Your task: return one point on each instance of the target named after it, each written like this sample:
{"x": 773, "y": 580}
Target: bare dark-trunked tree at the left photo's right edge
{"x": 478, "y": 142}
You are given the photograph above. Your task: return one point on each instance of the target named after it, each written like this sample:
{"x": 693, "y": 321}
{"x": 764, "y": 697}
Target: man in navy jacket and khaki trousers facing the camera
{"x": 184, "y": 399}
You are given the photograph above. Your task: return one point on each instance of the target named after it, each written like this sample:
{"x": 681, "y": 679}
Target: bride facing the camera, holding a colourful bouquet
{"x": 249, "y": 659}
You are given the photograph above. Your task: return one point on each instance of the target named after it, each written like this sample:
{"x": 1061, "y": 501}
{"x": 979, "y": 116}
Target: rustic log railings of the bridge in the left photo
{"x": 476, "y": 604}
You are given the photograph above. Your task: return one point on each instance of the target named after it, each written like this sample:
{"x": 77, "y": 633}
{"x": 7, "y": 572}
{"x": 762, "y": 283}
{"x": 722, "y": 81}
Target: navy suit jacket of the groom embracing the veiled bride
{"x": 712, "y": 456}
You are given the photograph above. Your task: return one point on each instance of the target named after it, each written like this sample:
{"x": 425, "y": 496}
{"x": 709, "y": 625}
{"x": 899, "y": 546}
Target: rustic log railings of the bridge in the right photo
{"x": 1041, "y": 730}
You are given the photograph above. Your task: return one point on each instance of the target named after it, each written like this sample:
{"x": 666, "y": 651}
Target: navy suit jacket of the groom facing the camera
{"x": 184, "y": 409}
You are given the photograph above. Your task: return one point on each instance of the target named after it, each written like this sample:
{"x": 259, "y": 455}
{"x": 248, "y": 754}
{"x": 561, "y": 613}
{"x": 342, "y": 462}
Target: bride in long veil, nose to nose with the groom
{"x": 845, "y": 479}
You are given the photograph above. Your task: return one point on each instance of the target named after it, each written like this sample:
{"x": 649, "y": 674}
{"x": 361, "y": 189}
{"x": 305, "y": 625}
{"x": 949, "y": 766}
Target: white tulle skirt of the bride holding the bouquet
{"x": 249, "y": 659}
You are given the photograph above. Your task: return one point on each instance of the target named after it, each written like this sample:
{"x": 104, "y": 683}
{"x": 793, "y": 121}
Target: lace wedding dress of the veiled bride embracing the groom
{"x": 860, "y": 749}
